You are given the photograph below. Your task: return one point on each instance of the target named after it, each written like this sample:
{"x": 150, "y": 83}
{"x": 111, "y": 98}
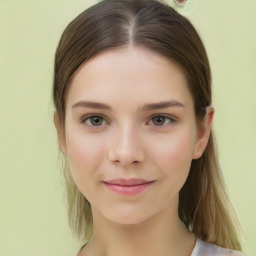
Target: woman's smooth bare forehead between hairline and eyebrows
{"x": 129, "y": 73}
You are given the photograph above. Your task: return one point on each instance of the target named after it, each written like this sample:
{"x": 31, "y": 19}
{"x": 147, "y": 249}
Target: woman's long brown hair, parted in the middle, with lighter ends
{"x": 204, "y": 205}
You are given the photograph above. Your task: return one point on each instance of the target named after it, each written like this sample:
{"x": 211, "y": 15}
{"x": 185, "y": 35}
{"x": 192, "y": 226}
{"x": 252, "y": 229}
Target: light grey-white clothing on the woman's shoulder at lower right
{"x": 206, "y": 249}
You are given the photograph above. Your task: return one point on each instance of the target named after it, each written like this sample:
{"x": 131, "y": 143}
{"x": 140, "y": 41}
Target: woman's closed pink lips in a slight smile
{"x": 128, "y": 186}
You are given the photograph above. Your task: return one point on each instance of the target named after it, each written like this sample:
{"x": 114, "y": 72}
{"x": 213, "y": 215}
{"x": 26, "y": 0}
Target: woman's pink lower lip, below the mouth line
{"x": 128, "y": 190}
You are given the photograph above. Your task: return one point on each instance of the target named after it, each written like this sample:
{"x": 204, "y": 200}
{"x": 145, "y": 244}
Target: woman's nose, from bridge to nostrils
{"x": 126, "y": 147}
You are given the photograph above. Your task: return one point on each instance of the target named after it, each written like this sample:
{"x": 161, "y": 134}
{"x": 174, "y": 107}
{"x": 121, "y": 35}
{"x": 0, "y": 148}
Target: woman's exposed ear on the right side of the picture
{"x": 203, "y": 133}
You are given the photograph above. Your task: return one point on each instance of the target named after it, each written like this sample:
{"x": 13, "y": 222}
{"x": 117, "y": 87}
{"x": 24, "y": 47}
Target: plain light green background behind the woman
{"x": 33, "y": 217}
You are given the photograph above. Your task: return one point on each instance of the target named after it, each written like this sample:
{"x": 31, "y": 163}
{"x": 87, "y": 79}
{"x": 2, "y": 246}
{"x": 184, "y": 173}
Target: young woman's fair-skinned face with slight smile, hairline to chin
{"x": 130, "y": 133}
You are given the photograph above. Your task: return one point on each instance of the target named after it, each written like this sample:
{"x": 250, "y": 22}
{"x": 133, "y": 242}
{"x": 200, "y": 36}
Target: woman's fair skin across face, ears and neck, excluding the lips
{"x": 128, "y": 140}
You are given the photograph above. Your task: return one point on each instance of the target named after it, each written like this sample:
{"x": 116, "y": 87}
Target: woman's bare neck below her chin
{"x": 162, "y": 234}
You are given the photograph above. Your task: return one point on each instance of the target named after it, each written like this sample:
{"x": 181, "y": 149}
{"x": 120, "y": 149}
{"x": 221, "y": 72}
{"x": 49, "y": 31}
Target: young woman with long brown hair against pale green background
{"x": 132, "y": 91}
